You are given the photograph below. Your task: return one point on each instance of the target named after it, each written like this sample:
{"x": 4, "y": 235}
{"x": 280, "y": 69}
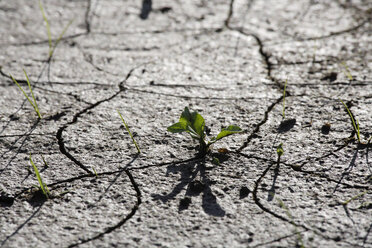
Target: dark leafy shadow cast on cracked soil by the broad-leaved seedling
{"x": 194, "y": 187}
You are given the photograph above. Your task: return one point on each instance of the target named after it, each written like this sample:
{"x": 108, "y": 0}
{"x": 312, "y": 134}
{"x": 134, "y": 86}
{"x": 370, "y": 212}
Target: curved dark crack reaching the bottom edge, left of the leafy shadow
{"x": 123, "y": 221}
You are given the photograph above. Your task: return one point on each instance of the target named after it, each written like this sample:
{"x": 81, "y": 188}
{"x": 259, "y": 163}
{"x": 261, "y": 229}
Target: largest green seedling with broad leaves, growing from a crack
{"x": 194, "y": 124}
